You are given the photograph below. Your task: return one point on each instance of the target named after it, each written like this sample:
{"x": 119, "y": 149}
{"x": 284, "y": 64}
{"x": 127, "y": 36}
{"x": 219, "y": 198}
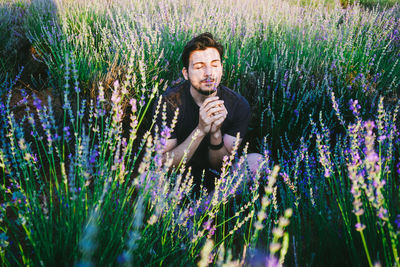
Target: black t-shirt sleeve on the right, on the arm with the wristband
{"x": 240, "y": 119}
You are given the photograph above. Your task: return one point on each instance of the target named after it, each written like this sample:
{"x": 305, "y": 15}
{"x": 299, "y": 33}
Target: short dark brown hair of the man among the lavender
{"x": 200, "y": 42}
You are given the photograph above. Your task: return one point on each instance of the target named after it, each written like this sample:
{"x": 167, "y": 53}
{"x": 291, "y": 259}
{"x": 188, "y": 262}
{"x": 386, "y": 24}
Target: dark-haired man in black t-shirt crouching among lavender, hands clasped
{"x": 210, "y": 114}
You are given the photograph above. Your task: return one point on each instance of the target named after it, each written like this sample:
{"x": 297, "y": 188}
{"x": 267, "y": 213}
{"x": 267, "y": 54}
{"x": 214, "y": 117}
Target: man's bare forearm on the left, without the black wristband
{"x": 188, "y": 146}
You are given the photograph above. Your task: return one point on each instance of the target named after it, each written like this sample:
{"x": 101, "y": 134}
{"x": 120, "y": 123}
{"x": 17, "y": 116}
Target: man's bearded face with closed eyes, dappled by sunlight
{"x": 204, "y": 71}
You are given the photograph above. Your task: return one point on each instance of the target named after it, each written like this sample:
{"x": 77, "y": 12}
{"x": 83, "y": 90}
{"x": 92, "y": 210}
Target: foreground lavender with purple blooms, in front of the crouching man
{"x": 83, "y": 182}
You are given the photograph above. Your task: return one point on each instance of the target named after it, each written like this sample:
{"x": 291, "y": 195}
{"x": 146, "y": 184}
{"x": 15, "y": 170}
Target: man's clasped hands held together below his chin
{"x": 212, "y": 114}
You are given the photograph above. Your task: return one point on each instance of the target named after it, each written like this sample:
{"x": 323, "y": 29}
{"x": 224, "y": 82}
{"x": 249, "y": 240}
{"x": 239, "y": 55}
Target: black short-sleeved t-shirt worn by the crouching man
{"x": 237, "y": 119}
